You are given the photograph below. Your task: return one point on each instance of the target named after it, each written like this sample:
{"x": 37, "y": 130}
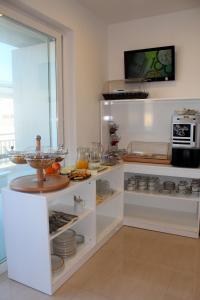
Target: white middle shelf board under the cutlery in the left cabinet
{"x": 69, "y": 209}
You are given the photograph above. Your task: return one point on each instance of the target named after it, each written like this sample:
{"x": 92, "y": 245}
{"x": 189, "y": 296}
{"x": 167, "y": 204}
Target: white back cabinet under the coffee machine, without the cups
{"x": 176, "y": 214}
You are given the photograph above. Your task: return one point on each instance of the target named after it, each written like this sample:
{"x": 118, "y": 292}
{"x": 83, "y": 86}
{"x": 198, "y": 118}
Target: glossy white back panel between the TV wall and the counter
{"x": 144, "y": 120}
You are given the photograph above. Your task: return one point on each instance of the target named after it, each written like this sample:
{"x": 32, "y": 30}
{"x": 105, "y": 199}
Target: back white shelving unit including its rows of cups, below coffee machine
{"x": 169, "y": 212}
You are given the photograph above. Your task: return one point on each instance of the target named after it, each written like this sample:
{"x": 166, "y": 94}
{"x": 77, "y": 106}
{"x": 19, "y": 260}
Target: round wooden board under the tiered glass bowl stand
{"x": 29, "y": 184}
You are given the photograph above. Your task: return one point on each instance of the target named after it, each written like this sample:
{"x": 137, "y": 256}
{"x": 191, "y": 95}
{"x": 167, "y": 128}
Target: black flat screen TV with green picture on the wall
{"x": 152, "y": 64}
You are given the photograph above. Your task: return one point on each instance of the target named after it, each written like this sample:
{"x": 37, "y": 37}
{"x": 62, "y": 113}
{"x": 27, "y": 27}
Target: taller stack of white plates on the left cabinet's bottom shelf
{"x": 65, "y": 244}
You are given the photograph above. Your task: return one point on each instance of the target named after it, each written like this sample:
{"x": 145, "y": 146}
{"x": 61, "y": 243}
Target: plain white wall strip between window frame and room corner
{"x": 89, "y": 55}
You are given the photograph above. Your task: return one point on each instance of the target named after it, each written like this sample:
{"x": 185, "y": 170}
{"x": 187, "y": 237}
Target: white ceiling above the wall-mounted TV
{"x": 114, "y": 11}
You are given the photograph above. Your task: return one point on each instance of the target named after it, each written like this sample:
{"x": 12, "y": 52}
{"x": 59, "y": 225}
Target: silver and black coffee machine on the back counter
{"x": 186, "y": 139}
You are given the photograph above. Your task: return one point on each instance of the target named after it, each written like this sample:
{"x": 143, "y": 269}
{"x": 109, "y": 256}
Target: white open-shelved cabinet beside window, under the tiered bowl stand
{"x": 27, "y": 238}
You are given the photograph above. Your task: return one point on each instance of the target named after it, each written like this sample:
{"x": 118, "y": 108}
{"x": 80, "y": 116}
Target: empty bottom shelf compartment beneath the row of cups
{"x": 183, "y": 223}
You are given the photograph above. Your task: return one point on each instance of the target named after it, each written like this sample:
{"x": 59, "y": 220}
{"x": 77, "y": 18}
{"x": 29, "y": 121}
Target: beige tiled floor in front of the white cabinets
{"x": 134, "y": 265}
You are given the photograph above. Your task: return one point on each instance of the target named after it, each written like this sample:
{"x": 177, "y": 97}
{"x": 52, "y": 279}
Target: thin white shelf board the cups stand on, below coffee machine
{"x": 161, "y": 196}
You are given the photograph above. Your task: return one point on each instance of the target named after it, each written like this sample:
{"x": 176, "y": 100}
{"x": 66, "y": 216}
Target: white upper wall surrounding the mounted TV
{"x": 180, "y": 29}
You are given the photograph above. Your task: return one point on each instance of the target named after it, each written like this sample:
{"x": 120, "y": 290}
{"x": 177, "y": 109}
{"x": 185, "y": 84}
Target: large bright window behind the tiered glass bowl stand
{"x": 28, "y": 91}
